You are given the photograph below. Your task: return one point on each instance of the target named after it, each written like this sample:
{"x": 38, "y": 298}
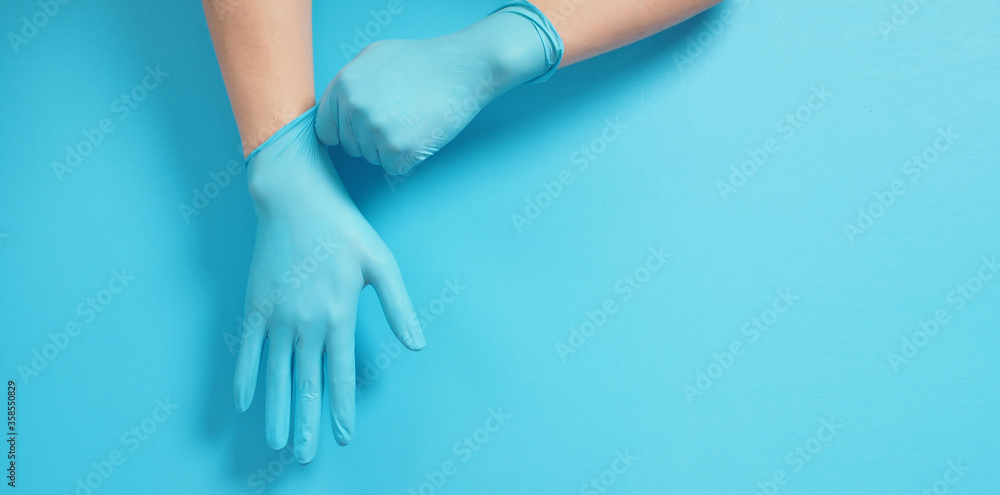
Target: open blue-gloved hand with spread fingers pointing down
{"x": 313, "y": 255}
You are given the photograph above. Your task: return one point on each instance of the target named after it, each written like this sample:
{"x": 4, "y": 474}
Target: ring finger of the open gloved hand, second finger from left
{"x": 279, "y": 387}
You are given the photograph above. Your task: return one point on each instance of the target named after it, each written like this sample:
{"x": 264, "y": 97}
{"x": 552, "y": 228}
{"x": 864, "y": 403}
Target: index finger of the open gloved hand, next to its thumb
{"x": 340, "y": 374}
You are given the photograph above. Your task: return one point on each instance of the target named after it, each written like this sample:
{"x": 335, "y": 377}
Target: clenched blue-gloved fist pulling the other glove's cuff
{"x": 400, "y": 101}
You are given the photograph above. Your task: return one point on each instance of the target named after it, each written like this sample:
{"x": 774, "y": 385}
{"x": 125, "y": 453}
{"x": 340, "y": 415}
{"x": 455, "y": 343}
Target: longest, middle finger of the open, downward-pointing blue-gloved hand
{"x": 309, "y": 394}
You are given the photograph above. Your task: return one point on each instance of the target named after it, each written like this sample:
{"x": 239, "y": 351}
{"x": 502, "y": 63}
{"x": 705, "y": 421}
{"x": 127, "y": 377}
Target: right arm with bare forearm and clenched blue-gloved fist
{"x": 400, "y": 101}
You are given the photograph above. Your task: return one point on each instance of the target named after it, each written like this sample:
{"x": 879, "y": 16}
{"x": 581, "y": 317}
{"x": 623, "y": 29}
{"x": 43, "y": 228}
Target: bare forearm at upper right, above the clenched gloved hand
{"x": 592, "y": 27}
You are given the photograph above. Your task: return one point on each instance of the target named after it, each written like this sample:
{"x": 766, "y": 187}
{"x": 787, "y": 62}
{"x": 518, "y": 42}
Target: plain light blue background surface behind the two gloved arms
{"x": 696, "y": 100}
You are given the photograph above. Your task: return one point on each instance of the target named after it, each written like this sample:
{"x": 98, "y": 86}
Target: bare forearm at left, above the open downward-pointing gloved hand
{"x": 265, "y": 53}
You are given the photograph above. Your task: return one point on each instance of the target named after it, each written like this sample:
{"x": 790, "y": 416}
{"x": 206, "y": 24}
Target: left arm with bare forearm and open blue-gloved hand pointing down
{"x": 313, "y": 252}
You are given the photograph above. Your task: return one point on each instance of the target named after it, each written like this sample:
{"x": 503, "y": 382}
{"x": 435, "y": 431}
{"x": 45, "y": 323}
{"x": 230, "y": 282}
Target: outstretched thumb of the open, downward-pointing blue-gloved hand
{"x": 396, "y": 304}
